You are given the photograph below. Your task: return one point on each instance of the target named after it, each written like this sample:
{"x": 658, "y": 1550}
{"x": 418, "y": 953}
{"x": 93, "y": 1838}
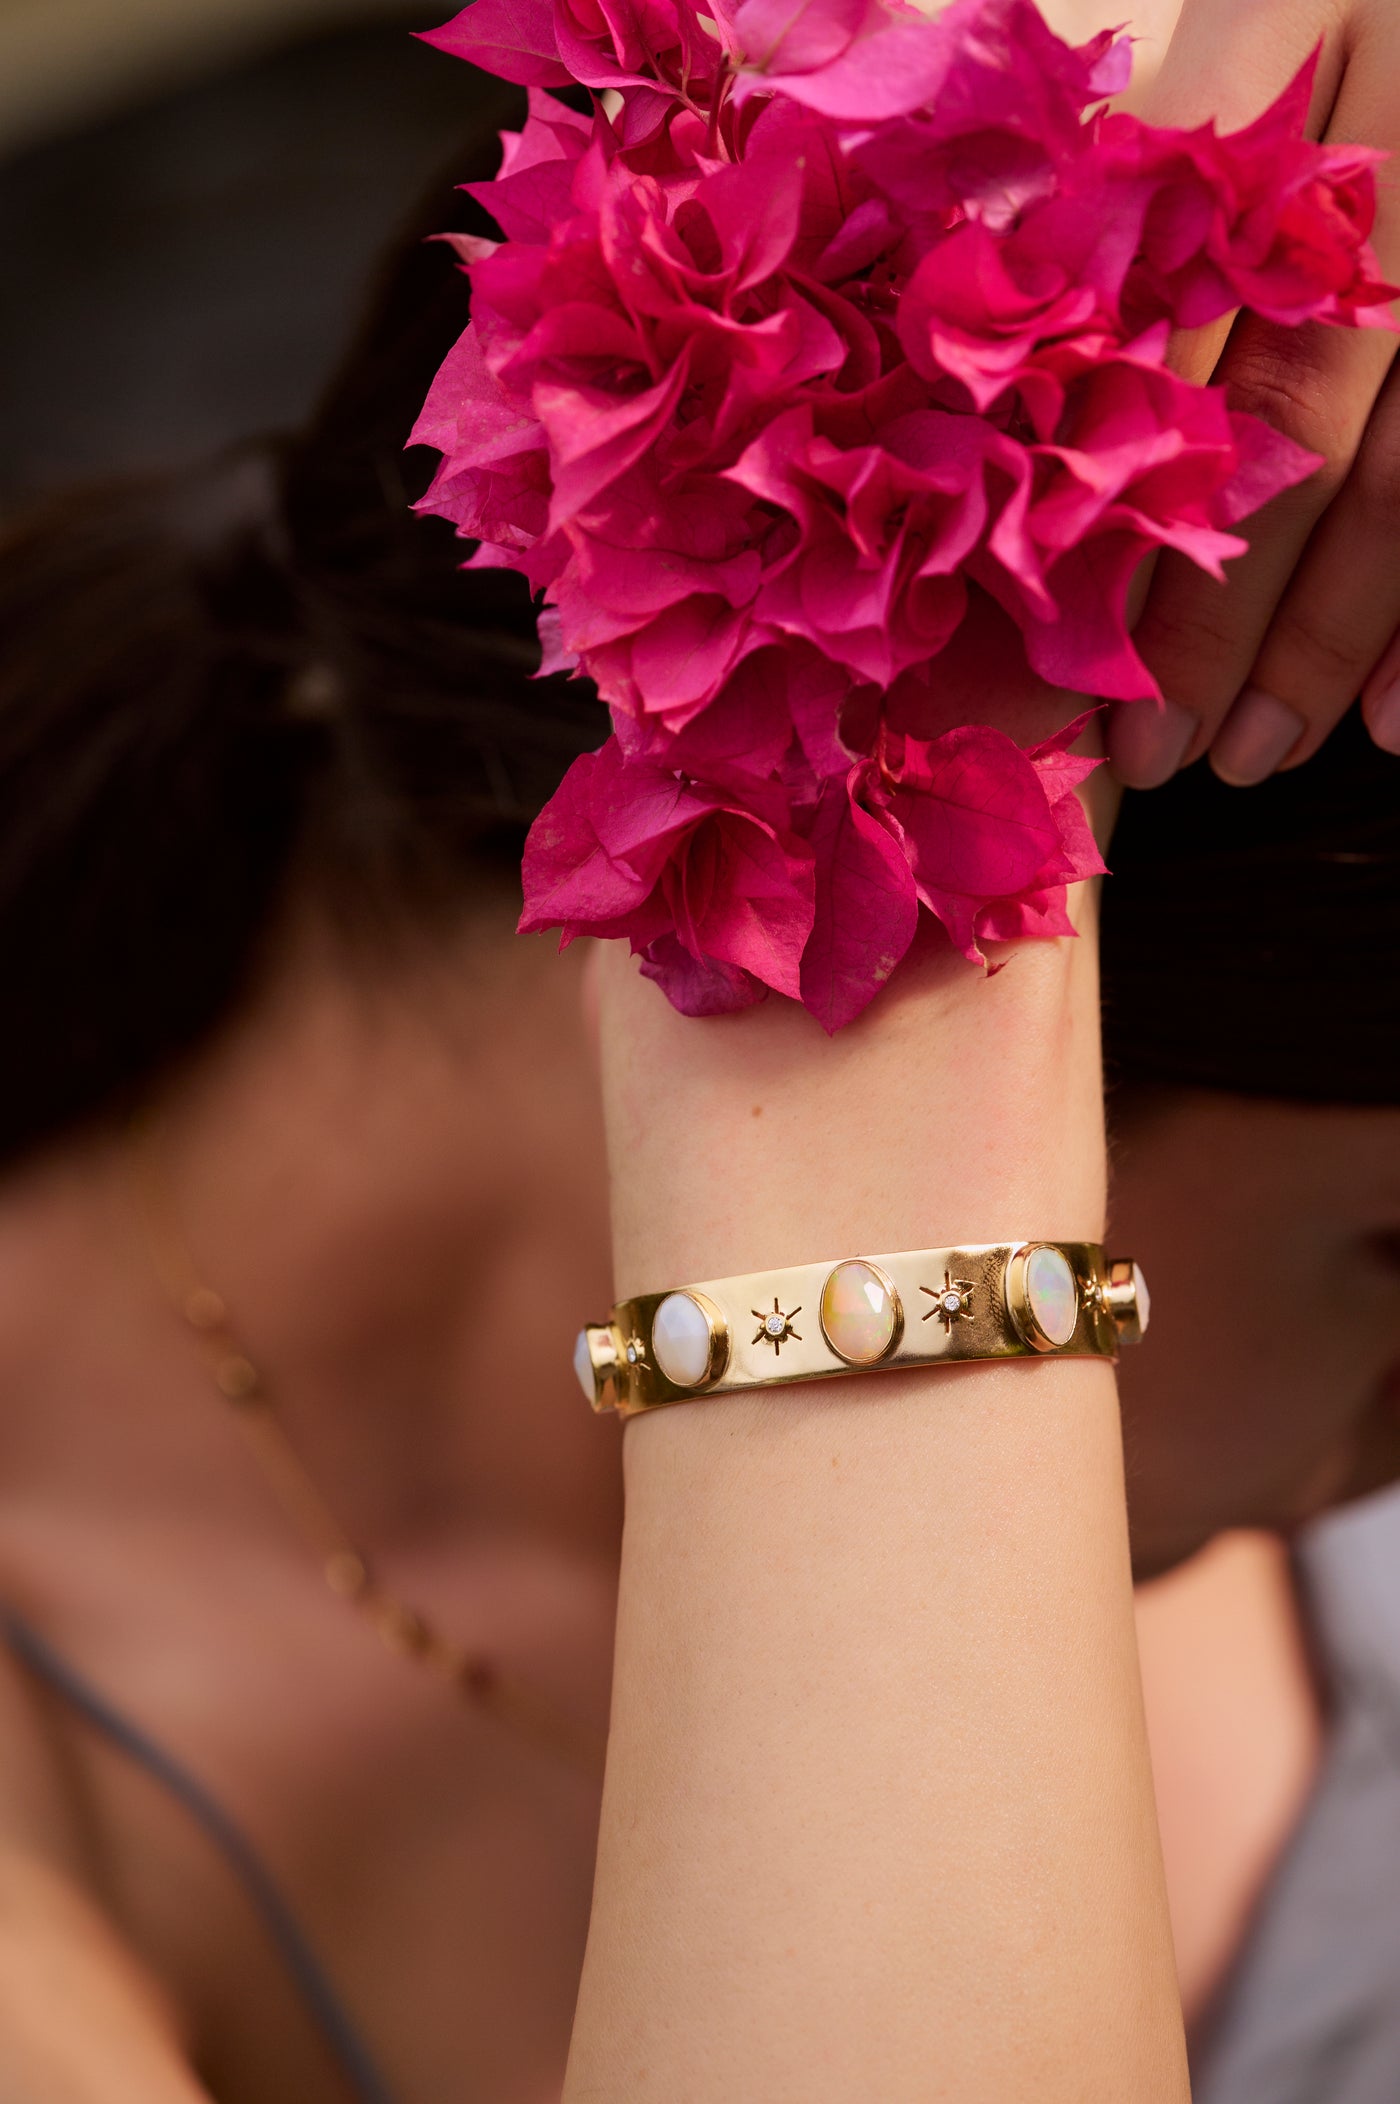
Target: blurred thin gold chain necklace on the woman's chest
{"x": 403, "y": 1630}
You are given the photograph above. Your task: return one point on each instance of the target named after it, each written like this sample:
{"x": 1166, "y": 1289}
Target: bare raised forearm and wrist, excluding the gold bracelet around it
{"x": 879, "y": 1817}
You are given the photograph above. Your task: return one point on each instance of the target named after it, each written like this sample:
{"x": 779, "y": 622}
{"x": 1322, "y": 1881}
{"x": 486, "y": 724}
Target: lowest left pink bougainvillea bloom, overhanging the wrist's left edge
{"x": 628, "y": 849}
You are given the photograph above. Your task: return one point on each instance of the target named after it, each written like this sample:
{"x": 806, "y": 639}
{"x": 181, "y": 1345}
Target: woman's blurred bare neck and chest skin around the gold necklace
{"x": 346, "y": 1158}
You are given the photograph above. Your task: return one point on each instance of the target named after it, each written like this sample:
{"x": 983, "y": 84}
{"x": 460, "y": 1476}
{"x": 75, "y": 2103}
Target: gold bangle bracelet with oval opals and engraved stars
{"x": 862, "y": 1314}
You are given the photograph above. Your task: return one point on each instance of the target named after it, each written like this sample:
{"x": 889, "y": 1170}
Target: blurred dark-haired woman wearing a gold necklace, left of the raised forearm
{"x": 283, "y": 746}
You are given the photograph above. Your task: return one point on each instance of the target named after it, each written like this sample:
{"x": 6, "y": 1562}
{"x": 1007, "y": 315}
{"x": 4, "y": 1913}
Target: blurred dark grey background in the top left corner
{"x": 191, "y": 193}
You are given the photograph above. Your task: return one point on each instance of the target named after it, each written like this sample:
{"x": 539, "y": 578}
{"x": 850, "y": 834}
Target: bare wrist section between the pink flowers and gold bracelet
{"x": 965, "y": 1108}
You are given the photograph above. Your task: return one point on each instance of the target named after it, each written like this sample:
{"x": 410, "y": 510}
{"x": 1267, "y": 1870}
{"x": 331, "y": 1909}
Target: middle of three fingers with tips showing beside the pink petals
{"x": 1342, "y": 605}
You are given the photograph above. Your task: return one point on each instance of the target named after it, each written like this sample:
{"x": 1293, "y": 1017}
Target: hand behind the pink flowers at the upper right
{"x": 1260, "y": 670}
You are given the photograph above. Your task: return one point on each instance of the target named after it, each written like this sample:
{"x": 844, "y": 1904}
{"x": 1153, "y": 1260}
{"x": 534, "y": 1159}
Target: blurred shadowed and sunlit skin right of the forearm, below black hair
{"x": 1268, "y": 1392}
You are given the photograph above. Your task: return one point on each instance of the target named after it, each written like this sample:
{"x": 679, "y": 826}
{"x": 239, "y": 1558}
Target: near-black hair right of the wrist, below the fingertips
{"x": 1252, "y": 937}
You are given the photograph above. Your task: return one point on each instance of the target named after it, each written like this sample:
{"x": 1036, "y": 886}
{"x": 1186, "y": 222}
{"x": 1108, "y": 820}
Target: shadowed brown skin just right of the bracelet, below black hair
{"x": 1292, "y": 1215}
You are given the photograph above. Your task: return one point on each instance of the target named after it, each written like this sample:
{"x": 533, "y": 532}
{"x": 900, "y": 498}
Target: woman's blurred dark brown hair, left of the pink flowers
{"x": 247, "y": 681}
